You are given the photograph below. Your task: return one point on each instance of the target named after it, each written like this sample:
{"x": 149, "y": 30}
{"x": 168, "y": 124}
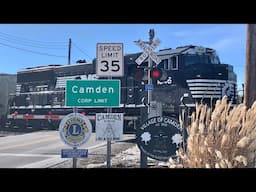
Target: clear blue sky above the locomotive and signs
{"x": 29, "y": 45}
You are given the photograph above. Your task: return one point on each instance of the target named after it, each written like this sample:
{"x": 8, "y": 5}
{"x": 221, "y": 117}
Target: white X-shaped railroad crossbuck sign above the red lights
{"x": 148, "y": 51}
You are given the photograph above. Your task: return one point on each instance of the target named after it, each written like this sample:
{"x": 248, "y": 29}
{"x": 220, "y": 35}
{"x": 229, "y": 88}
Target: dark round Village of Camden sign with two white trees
{"x": 160, "y": 137}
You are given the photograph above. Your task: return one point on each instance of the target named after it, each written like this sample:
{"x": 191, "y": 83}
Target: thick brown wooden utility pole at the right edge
{"x": 250, "y": 71}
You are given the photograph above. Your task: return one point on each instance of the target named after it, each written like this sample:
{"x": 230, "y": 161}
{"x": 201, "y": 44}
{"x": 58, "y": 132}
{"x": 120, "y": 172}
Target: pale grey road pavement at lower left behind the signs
{"x": 38, "y": 149}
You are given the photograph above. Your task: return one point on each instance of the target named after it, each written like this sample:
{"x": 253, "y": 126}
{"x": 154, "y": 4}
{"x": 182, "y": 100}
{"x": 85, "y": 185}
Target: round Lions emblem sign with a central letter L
{"x": 75, "y": 129}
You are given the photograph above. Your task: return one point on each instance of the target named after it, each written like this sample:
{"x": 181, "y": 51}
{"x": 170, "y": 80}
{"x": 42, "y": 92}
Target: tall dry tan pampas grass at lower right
{"x": 223, "y": 138}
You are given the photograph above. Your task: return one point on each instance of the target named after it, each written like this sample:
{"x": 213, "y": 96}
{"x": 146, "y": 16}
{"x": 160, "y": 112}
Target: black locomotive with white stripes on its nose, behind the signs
{"x": 189, "y": 74}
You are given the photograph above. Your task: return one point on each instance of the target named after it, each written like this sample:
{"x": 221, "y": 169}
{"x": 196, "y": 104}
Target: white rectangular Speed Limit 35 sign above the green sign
{"x": 110, "y": 60}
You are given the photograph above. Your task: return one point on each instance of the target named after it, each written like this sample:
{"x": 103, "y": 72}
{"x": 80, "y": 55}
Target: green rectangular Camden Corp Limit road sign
{"x": 93, "y": 93}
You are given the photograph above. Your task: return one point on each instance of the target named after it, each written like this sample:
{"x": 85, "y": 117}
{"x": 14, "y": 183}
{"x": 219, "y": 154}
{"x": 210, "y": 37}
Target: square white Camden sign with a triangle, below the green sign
{"x": 109, "y": 126}
